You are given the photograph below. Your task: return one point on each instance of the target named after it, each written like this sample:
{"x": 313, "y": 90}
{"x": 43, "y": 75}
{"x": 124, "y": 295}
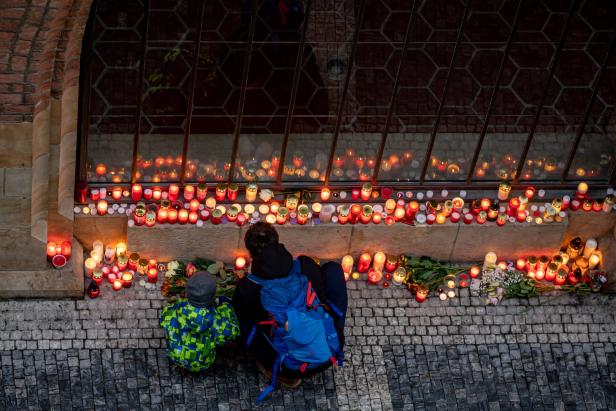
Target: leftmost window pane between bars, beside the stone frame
{"x": 113, "y": 95}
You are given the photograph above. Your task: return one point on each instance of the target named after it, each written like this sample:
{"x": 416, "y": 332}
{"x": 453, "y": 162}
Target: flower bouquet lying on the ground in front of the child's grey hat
{"x": 178, "y": 273}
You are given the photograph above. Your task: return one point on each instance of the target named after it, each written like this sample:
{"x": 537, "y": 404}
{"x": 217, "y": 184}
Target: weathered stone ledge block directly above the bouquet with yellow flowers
{"x": 435, "y": 241}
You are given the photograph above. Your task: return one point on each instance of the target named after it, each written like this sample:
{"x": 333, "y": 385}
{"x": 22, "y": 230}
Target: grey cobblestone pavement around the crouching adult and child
{"x": 555, "y": 353}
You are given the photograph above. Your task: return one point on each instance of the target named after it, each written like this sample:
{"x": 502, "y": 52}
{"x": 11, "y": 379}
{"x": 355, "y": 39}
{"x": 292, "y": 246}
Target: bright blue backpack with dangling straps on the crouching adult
{"x": 302, "y": 331}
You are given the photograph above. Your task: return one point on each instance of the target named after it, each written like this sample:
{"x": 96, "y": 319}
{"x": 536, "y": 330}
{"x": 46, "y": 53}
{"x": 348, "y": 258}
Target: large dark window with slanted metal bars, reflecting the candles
{"x": 289, "y": 92}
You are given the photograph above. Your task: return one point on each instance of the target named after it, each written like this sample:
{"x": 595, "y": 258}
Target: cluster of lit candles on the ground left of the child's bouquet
{"x": 117, "y": 266}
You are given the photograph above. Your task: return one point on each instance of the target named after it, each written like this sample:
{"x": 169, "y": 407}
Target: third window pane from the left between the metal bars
{"x": 217, "y": 88}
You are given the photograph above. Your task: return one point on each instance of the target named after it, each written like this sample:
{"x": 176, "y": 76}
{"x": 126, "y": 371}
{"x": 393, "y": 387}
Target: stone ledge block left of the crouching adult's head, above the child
{"x": 166, "y": 242}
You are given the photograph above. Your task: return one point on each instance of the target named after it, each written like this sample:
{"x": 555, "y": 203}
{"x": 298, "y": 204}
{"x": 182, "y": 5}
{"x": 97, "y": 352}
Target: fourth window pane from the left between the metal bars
{"x": 270, "y": 80}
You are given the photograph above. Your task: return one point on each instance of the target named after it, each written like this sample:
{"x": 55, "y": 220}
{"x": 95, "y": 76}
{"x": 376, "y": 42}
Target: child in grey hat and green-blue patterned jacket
{"x": 197, "y": 325}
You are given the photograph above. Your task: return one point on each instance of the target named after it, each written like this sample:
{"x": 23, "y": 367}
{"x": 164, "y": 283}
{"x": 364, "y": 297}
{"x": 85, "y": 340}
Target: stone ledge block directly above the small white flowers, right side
{"x": 511, "y": 240}
